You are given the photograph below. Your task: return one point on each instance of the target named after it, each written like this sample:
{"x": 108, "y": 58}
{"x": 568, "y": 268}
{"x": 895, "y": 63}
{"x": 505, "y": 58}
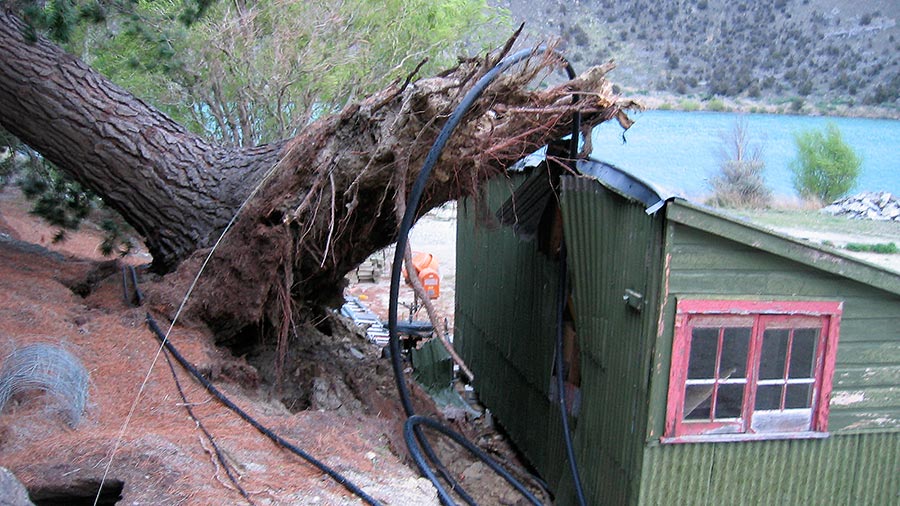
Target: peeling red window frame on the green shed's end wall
{"x": 751, "y": 423}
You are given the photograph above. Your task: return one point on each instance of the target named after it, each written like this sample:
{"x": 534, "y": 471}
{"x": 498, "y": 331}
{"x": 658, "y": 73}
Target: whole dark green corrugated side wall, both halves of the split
{"x": 505, "y": 322}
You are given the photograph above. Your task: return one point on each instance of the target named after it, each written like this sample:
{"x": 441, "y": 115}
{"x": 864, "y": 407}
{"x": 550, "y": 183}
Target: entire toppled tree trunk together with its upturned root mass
{"x": 325, "y": 200}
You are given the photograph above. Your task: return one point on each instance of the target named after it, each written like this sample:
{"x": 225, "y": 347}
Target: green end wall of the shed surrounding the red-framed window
{"x": 707, "y": 257}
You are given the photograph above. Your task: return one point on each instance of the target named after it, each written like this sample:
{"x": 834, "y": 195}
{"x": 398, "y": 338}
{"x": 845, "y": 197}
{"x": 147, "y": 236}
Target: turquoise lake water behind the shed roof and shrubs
{"x": 678, "y": 151}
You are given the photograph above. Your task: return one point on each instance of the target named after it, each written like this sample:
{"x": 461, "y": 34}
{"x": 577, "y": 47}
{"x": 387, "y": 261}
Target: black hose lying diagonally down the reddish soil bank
{"x": 249, "y": 419}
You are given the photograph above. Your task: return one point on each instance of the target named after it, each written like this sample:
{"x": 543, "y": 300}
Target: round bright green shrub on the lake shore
{"x": 826, "y": 168}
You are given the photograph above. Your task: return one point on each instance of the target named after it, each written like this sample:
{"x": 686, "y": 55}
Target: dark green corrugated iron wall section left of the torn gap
{"x": 505, "y": 326}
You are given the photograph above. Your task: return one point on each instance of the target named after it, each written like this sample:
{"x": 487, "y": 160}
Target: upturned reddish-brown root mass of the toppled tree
{"x": 332, "y": 199}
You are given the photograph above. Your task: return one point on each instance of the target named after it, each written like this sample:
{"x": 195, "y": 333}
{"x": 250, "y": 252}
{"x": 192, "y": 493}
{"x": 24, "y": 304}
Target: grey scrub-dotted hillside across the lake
{"x": 828, "y": 52}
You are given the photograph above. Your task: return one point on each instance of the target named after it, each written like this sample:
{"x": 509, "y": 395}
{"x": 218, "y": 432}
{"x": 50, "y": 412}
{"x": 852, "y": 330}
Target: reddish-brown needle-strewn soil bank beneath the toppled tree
{"x": 337, "y": 401}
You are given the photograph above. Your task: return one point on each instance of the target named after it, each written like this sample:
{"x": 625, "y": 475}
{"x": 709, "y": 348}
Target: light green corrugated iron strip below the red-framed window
{"x": 859, "y": 469}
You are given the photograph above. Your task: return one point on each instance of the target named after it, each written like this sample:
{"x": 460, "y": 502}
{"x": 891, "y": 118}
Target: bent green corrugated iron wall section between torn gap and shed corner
{"x": 614, "y": 253}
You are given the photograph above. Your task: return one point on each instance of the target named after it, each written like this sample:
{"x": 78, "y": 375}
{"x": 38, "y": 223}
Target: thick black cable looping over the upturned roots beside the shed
{"x": 412, "y": 427}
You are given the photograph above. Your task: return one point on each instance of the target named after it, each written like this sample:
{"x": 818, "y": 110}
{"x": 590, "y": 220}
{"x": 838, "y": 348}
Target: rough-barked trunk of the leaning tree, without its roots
{"x": 176, "y": 189}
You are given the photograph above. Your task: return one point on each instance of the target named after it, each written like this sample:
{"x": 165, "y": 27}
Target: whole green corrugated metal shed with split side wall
{"x": 628, "y": 267}
